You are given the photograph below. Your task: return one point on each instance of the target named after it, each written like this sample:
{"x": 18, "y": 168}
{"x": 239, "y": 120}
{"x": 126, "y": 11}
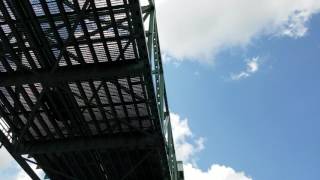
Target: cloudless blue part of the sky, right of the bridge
{"x": 265, "y": 125}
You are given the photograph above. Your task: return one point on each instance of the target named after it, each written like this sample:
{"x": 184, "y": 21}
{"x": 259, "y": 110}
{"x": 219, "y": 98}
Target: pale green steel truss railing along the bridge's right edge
{"x": 159, "y": 87}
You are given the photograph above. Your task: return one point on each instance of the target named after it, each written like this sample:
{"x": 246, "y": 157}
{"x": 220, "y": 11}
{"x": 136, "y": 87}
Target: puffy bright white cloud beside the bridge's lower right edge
{"x": 187, "y": 145}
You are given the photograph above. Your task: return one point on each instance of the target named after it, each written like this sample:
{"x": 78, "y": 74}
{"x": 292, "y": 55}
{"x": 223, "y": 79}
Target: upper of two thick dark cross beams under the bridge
{"x": 105, "y": 70}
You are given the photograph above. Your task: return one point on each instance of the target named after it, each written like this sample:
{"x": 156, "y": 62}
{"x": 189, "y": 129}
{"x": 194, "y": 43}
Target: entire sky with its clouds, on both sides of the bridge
{"x": 243, "y": 85}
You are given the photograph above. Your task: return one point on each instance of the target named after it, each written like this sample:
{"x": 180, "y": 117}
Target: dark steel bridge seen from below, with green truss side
{"x": 82, "y": 91}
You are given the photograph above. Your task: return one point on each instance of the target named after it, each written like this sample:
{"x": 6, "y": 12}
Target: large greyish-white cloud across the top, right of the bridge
{"x": 200, "y": 29}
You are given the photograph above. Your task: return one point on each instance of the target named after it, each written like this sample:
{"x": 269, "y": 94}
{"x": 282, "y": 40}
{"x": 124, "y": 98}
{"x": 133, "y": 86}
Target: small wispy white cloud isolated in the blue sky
{"x": 252, "y": 67}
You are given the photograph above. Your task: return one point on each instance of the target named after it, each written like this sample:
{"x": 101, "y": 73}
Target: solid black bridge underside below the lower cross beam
{"x": 114, "y": 164}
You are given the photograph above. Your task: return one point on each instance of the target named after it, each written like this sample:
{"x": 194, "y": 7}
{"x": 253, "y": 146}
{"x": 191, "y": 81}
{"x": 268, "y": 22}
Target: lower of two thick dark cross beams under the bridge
{"x": 121, "y": 141}
